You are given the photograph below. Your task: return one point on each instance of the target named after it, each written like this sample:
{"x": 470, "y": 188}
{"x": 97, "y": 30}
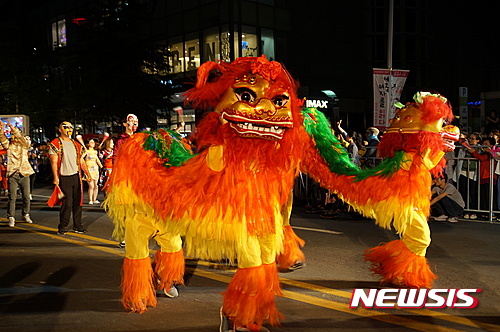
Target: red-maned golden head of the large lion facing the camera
{"x": 255, "y": 97}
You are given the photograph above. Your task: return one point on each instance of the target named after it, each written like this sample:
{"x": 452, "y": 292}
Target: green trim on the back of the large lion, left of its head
{"x": 170, "y": 149}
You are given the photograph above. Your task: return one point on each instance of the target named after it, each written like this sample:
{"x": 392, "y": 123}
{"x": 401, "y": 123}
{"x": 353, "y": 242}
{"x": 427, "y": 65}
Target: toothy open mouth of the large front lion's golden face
{"x": 269, "y": 128}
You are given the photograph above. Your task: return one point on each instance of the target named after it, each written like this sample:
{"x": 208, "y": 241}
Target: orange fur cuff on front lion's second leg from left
{"x": 169, "y": 268}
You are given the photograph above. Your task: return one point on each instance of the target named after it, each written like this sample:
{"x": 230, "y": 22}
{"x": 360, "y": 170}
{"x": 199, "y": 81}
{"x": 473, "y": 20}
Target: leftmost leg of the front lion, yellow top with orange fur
{"x": 138, "y": 286}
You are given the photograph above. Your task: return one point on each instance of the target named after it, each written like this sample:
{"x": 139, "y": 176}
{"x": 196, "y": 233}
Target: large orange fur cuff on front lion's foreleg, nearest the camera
{"x": 249, "y": 299}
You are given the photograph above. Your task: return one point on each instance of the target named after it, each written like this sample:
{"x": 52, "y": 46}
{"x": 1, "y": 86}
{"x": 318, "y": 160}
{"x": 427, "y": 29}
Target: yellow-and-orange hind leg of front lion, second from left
{"x": 169, "y": 261}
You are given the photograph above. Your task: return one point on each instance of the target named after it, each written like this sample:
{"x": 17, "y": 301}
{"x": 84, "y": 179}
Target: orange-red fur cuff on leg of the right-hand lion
{"x": 398, "y": 265}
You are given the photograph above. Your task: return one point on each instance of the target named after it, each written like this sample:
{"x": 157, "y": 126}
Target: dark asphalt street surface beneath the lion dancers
{"x": 71, "y": 283}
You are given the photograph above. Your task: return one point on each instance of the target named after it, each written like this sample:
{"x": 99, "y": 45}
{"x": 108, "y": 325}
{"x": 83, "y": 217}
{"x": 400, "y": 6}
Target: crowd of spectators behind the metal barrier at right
{"x": 472, "y": 169}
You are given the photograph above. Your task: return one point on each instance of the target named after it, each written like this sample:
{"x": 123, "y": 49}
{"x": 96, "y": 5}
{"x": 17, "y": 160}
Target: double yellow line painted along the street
{"x": 329, "y": 304}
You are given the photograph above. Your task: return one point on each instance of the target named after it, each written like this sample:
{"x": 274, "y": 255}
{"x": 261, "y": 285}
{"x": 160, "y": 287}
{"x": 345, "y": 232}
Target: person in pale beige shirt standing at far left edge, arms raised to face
{"x": 18, "y": 172}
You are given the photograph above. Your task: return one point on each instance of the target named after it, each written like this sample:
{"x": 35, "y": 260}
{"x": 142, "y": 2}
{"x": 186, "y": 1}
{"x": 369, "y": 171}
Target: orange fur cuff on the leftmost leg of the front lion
{"x": 137, "y": 285}
